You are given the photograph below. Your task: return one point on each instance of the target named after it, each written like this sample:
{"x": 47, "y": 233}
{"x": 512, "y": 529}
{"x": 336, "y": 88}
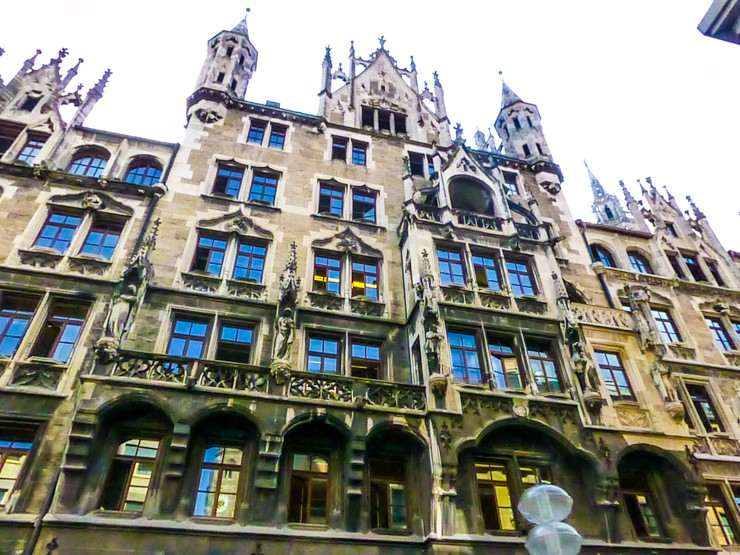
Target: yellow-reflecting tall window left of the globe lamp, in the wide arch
{"x": 496, "y": 496}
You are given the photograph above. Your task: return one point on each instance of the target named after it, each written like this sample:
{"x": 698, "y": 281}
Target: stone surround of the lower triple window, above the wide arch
{"x": 519, "y": 344}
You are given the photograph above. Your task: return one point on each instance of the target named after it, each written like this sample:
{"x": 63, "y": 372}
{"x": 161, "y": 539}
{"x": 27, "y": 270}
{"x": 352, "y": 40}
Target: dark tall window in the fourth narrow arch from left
{"x": 387, "y": 494}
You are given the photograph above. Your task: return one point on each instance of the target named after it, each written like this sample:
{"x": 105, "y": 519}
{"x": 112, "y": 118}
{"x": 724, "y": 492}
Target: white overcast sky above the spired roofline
{"x": 629, "y": 85}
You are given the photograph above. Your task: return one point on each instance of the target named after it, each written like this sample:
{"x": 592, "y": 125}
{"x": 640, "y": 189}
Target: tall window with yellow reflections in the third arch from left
{"x": 309, "y": 489}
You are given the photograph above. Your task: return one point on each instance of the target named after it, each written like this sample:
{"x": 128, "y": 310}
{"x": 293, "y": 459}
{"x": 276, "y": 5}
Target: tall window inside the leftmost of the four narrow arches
{"x": 130, "y": 475}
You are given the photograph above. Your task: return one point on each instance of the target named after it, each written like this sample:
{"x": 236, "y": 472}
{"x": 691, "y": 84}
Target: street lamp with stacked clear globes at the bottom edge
{"x": 547, "y": 506}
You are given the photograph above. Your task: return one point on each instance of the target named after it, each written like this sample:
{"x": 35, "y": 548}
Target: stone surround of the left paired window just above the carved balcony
{"x": 215, "y": 319}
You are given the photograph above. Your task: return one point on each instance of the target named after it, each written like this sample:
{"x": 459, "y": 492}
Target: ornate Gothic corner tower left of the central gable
{"x": 230, "y": 62}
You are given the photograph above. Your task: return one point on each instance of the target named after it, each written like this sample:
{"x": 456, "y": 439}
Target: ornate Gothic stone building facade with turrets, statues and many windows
{"x": 346, "y": 332}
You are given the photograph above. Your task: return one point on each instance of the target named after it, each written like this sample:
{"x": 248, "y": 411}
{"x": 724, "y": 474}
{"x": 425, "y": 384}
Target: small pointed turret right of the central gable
{"x": 520, "y": 127}
